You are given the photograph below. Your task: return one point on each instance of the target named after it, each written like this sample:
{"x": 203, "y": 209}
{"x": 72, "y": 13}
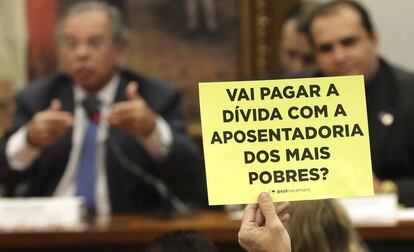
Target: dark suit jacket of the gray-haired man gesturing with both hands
{"x": 181, "y": 170}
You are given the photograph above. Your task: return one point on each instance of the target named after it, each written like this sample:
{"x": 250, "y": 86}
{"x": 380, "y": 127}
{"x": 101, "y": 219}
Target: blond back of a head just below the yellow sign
{"x": 321, "y": 226}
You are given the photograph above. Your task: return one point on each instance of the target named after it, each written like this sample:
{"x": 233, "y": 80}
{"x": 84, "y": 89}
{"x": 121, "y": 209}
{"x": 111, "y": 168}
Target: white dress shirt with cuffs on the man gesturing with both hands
{"x": 21, "y": 154}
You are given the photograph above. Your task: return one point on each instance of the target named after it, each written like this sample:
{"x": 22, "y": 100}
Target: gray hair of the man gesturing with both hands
{"x": 120, "y": 32}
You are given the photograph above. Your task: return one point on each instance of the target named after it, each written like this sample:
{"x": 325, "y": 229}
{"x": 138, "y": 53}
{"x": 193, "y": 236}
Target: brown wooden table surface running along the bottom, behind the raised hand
{"x": 140, "y": 229}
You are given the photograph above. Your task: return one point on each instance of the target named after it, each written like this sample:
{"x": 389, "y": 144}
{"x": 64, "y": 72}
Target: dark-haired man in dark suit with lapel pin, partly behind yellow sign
{"x": 345, "y": 43}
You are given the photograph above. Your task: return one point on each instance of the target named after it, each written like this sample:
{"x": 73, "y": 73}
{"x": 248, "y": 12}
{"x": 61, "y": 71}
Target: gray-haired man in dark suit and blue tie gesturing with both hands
{"x": 137, "y": 143}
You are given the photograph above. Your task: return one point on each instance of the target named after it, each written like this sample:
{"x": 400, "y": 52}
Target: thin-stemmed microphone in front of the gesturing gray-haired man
{"x": 92, "y": 108}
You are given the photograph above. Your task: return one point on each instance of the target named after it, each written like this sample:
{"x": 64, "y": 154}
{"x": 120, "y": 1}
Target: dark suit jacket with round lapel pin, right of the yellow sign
{"x": 391, "y": 91}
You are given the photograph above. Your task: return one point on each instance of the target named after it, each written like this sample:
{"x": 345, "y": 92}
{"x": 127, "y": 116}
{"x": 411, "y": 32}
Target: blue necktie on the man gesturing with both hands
{"x": 86, "y": 173}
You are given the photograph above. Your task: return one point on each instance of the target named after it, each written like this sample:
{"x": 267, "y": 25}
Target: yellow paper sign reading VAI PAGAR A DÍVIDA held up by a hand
{"x": 296, "y": 139}
